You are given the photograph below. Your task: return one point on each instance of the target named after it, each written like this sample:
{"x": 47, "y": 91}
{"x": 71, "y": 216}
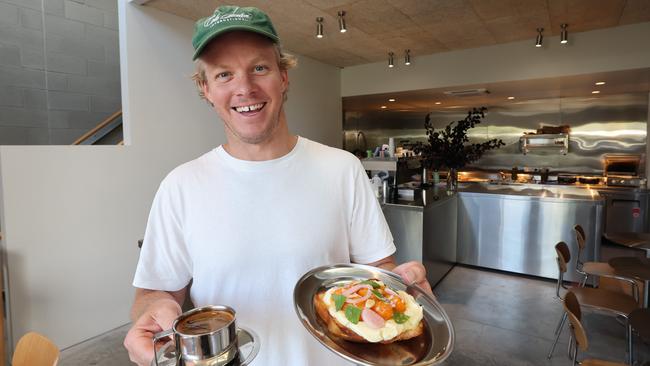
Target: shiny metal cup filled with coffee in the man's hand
{"x": 205, "y": 336}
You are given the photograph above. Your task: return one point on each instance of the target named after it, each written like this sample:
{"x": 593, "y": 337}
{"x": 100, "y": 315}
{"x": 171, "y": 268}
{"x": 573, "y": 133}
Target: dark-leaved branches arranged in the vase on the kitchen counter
{"x": 449, "y": 147}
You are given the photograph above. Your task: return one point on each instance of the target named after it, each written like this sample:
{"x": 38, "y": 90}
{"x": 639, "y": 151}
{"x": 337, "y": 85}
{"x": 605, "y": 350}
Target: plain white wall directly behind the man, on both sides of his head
{"x": 71, "y": 216}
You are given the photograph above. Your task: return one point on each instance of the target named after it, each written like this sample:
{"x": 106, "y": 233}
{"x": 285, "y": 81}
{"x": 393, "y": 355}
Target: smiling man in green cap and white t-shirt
{"x": 247, "y": 219}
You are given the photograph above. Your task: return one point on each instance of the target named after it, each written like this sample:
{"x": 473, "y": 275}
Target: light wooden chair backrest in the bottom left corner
{"x": 34, "y": 349}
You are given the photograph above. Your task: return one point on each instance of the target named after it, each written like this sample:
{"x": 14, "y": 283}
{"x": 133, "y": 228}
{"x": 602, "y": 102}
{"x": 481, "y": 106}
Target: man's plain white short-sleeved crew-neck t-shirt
{"x": 246, "y": 231}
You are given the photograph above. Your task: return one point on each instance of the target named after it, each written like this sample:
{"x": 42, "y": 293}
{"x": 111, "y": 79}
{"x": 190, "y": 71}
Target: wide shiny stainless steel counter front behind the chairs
{"x": 515, "y": 228}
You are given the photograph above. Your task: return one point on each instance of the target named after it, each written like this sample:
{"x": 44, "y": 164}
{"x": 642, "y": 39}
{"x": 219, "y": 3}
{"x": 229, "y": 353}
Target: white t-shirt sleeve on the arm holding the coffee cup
{"x": 164, "y": 262}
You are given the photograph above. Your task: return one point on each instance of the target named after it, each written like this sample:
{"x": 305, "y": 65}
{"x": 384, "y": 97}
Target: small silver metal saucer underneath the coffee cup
{"x": 248, "y": 344}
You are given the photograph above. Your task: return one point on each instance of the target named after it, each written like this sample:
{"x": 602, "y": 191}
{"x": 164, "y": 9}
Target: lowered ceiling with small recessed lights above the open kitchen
{"x": 617, "y": 82}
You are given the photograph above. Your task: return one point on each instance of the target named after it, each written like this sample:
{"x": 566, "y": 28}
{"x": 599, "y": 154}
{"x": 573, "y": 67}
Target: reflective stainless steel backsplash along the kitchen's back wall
{"x": 599, "y": 125}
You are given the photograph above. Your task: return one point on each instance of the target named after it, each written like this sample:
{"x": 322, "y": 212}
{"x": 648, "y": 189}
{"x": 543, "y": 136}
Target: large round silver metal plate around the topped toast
{"x": 431, "y": 348}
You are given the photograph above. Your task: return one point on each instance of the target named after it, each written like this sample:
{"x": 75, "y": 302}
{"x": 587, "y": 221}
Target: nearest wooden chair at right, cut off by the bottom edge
{"x": 572, "y": 309}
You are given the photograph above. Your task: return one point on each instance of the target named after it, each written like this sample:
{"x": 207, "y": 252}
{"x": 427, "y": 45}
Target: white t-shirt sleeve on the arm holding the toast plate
{"x": 370, "y": 237}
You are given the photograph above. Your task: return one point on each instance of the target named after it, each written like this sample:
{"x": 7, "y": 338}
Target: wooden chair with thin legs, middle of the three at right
{"x": 608, "y": 302}
